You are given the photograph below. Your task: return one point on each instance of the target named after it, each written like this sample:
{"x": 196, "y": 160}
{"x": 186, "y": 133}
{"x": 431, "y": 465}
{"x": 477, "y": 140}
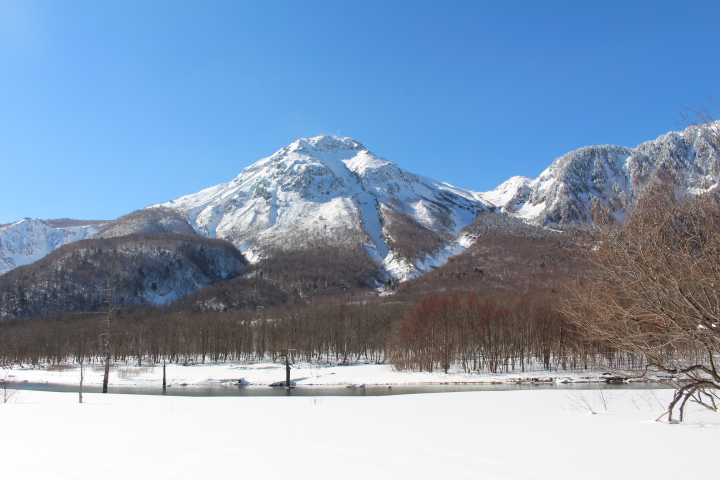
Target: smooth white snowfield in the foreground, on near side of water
{"x": 498, "y": 435}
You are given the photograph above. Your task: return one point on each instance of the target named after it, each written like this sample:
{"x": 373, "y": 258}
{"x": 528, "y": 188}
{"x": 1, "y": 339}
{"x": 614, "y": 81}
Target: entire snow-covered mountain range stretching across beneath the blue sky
{"x": 332, "y": 191}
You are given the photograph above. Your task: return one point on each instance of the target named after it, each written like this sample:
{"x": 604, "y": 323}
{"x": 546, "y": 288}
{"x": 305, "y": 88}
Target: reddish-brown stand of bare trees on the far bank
{"x": 491, "y": 334}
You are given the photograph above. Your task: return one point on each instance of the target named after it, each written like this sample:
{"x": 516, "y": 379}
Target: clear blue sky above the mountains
{"x": 107, "y": 107}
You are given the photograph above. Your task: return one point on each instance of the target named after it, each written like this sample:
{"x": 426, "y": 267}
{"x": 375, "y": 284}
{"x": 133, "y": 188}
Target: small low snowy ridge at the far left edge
{"x": 28, "y": 240}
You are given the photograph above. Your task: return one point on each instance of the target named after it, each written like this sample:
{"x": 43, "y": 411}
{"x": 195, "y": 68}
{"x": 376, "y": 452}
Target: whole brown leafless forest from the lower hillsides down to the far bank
{"x": 496, "y": 307}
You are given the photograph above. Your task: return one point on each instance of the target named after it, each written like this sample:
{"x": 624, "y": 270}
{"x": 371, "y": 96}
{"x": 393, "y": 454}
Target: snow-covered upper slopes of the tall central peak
{"x": 331, "y": 188}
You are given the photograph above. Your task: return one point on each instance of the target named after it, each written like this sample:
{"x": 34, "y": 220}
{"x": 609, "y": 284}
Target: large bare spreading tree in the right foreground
{"x": 659, "y": 297}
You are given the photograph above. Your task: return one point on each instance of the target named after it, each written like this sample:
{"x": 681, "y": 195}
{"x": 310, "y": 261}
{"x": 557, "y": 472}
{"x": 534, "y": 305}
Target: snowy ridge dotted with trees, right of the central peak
{"x": 612, "y": 175}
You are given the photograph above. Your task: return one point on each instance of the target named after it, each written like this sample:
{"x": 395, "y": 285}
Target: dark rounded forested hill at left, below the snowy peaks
{"x": 146, "y": 268}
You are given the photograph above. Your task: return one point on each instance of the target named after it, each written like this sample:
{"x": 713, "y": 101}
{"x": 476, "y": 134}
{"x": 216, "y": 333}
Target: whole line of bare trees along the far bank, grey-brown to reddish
{"x": 469, "y": 332}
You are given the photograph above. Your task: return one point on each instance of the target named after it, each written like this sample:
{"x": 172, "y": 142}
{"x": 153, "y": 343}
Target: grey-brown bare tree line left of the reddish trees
{"x": 319, "y": 332}
